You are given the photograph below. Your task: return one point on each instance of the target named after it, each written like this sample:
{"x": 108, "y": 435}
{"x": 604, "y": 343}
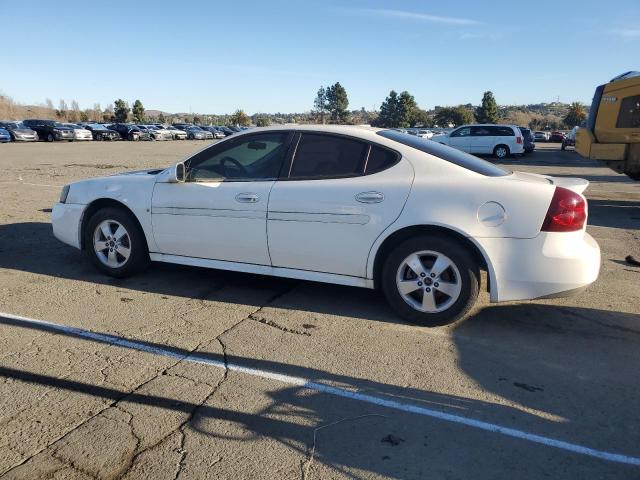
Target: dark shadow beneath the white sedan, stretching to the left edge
{"x": 31, "y": 247}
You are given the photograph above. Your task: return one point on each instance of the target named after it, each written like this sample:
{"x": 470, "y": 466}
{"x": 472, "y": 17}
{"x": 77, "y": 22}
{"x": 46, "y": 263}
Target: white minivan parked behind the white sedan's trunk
{"x": 499, "y": 140}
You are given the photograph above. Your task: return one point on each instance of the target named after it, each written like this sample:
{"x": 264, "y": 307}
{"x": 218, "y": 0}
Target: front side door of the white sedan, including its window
{"x": 220, "y": 211}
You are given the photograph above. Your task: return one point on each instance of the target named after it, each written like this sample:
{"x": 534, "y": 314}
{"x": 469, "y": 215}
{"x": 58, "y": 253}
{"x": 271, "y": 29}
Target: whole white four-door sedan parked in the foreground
{"x": 364, "y": 207}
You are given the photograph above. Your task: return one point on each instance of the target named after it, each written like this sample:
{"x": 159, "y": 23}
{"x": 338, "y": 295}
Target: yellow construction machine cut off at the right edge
{"x": 612, "y": 134}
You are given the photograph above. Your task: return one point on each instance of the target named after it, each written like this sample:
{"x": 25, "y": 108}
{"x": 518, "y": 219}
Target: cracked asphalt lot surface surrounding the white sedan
{"x": 190, "y": 373}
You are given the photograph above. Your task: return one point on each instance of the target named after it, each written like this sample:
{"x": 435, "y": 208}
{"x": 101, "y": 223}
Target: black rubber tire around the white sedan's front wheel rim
{"x": 139, "y": 256}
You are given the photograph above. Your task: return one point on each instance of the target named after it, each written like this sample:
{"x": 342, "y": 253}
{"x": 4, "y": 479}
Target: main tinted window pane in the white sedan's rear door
{"x": 328, "y": 156}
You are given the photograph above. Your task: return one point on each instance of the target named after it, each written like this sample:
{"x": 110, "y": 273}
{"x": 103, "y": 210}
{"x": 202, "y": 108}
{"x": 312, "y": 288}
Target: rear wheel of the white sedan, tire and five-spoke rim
{"x": 430, "y": 280}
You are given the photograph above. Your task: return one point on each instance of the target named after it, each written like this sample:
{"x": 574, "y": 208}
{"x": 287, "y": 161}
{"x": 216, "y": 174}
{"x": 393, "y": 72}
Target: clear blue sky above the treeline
{"x": 272, "y": 55}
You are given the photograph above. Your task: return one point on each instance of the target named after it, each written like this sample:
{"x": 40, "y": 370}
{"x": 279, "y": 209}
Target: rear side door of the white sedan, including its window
{"x": 339, "y": 195}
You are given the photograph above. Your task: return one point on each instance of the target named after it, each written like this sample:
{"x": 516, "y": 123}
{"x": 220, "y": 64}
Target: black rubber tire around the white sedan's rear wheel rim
{"x": 459, "y": 255}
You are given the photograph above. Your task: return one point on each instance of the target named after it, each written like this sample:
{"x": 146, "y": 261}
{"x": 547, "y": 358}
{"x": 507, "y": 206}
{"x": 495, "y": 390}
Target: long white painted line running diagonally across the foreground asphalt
{"x": 339, "y": 392}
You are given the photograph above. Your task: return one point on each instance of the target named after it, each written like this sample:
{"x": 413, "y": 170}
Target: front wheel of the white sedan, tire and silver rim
{"x": 115, "y": 243}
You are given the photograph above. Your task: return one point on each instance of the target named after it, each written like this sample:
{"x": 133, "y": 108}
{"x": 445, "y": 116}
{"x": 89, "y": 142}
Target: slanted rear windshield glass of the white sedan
{"x": 446, "y": 153}
